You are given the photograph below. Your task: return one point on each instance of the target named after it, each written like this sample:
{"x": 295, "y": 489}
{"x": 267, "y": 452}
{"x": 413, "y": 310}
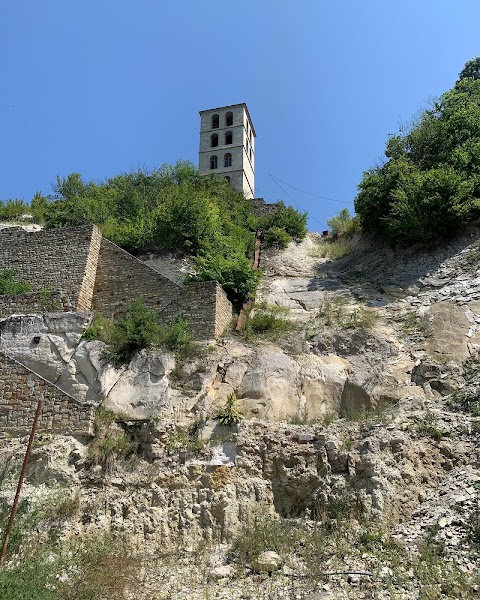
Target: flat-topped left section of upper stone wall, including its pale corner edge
{"x": 62, "y": 260}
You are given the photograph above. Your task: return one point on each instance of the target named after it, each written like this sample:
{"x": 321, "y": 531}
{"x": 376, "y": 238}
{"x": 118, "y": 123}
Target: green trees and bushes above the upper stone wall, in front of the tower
{"x": 171, "y": 207}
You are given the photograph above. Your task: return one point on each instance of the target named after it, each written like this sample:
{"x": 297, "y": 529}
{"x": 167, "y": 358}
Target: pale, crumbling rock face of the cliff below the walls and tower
{"x": 341, "y": 417}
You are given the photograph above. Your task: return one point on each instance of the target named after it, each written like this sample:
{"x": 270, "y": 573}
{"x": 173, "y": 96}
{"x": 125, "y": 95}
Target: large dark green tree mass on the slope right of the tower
{"x": 429, "y": 187}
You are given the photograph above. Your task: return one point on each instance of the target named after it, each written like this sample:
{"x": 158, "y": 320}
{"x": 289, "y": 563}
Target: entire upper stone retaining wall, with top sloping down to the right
{"x": 75, "y": 269}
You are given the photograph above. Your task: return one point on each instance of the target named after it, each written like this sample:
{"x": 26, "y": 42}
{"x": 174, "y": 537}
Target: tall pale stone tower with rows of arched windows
{"x": 227, "y": 146}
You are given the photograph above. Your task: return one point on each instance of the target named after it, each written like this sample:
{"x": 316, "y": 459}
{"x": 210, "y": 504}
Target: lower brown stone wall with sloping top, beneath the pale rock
{"x": 20, "y": 390}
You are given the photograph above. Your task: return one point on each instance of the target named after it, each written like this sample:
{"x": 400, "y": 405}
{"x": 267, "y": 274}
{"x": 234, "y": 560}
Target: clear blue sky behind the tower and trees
{"x": 100, "y": 87}
